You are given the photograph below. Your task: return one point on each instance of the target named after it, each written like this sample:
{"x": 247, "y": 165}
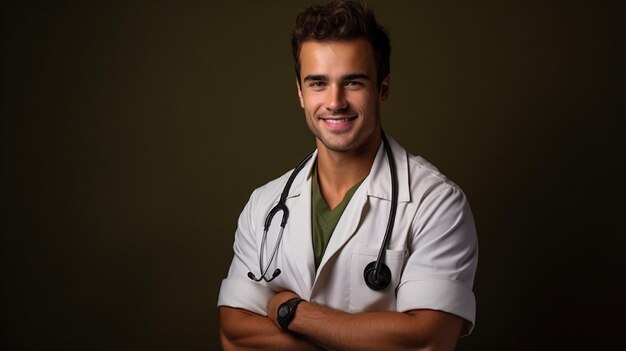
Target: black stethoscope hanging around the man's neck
{"x": 376, "y": 274}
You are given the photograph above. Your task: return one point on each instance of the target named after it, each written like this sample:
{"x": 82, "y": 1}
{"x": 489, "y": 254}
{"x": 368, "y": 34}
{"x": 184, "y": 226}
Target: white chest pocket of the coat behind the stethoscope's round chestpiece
{"x": 361, "y": 297}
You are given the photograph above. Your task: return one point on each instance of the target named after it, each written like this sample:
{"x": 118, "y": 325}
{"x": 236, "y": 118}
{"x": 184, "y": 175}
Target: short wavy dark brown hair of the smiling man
{"x": 342, "y": 20}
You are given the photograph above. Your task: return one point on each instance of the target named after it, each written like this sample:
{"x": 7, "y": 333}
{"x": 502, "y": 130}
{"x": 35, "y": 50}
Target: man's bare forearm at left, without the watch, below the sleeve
{"x": 244, "y": 330}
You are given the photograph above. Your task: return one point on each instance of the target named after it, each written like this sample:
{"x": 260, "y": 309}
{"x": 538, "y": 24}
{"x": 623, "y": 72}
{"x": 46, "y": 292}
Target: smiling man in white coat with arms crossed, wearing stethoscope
{"x": 306, "y": 288}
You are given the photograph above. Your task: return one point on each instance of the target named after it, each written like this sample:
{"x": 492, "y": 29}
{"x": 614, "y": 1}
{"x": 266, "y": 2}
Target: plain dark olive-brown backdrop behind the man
{"x": 133, "y": 134}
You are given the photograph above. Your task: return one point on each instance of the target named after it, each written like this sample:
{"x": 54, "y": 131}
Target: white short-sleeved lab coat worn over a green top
{"x": 432, "y": 253}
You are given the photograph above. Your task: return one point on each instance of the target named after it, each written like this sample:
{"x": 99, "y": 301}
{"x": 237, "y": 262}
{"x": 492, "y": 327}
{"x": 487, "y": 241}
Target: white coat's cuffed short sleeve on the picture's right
{"x": 439, "y": 272}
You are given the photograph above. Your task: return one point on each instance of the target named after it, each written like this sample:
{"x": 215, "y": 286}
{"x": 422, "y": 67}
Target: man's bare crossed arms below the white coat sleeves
{"x": 317, "y": 327}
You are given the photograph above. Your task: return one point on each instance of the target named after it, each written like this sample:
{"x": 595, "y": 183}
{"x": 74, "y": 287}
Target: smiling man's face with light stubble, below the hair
{"x": 339, "y": 95}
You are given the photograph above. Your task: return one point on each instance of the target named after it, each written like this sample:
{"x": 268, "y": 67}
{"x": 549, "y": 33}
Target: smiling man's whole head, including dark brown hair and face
{"x": 342, "y": 68}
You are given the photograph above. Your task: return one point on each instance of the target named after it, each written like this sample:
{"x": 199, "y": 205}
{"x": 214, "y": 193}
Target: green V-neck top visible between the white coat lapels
{"x": 324, "y": 219}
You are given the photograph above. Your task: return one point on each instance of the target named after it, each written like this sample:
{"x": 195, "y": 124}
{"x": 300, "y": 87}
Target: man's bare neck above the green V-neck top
{"x": 337, "y": 172}
